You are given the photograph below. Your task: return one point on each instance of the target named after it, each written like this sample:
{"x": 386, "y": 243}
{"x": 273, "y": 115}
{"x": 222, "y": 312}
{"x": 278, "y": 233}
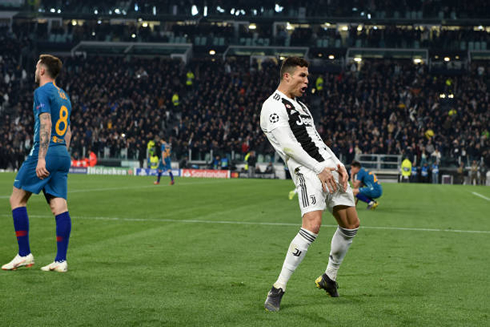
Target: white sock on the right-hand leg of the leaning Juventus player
{"x": 341, "y": 241}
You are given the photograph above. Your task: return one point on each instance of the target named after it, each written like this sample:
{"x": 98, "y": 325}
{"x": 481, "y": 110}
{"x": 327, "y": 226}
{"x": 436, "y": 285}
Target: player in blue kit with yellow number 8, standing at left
{"x": 46, "y": 167}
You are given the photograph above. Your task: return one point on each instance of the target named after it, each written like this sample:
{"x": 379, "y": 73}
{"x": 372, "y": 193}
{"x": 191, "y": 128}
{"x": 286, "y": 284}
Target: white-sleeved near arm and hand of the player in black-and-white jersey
{"x": 292, "y": 148}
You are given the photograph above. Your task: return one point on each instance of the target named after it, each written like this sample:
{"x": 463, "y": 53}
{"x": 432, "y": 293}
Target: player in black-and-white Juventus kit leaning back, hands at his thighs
{"x": 320, "y": 178}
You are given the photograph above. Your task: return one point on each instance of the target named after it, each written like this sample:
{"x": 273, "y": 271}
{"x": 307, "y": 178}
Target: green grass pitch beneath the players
{"x": 205, "y": 252}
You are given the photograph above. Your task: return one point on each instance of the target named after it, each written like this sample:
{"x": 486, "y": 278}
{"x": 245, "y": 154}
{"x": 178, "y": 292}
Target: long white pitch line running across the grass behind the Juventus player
{"x": 196, "y": 221}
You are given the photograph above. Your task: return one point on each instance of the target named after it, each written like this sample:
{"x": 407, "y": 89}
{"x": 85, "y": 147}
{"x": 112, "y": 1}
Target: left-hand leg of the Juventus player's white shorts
{"x": 310, "y": 192}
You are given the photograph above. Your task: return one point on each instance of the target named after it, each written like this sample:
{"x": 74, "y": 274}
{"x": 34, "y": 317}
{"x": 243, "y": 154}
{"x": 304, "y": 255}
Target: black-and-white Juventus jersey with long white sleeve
{"x": 289, "y": 126}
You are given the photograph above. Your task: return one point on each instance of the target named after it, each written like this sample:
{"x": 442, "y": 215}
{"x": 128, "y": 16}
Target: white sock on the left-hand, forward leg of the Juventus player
{"x": 296, "y": 253}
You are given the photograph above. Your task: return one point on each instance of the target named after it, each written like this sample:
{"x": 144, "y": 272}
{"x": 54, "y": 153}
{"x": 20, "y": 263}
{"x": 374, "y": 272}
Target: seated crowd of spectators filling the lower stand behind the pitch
{"x": 380, "y": 107}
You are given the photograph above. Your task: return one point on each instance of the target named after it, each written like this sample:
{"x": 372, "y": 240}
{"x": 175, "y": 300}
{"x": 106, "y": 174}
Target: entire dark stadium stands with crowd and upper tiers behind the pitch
{"x": 401, "y": 79}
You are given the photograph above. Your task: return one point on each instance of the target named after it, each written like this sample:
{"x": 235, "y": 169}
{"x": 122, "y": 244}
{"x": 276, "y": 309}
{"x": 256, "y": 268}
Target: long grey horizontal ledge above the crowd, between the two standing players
{"x": 173, "y": 50}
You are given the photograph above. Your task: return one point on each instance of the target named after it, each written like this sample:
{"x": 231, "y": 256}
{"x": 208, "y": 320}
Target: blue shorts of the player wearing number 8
{"x": 58, "y": 164}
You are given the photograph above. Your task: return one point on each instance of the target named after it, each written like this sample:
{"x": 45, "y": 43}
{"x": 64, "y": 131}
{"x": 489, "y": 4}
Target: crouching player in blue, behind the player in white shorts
{"x": 366, "y": 185}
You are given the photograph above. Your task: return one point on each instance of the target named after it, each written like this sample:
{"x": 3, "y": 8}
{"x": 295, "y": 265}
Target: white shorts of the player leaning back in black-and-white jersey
{"x": 312, "y": 197}
